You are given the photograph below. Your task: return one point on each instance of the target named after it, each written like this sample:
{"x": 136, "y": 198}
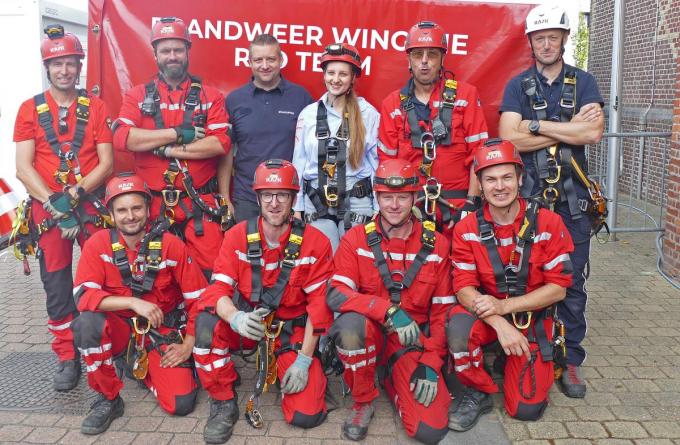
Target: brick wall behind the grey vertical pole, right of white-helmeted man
{"x": 643, "y": 175}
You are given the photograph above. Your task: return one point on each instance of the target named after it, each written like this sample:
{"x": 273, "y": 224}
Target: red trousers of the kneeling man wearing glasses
{"x": 214, "y": 339}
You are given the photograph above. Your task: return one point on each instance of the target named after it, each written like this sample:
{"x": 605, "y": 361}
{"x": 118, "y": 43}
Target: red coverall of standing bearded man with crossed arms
{"x": 151, "y": 167}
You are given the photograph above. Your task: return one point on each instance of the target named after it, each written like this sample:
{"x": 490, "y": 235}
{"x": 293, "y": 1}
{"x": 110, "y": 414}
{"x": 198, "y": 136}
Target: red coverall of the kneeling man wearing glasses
{"x": 304, "y": 295}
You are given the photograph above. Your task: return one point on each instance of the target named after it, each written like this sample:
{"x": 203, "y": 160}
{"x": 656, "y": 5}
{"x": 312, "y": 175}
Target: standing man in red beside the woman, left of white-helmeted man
{"x": 436, "y": 123}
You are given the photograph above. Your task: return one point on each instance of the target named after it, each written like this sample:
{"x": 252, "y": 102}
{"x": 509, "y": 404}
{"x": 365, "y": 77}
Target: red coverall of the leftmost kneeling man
{"x": 100, "y": 336}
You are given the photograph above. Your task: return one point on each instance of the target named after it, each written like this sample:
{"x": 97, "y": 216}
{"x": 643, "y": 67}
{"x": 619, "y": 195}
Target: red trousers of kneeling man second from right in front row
{"x": 362, "y": 345}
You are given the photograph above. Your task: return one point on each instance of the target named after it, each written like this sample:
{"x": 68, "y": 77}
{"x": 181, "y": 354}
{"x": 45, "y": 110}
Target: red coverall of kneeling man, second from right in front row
{"x": 358, "y": 293}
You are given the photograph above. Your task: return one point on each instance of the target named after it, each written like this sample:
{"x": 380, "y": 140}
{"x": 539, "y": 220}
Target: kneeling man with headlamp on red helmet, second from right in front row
{"x": 392, "y": 289}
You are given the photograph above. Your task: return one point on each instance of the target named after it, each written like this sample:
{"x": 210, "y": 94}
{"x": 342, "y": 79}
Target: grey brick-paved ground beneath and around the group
{"x": 633, "y": 374}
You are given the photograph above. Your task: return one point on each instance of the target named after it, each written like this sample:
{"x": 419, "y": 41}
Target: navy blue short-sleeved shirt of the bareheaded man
{"x": 263, "y": 127}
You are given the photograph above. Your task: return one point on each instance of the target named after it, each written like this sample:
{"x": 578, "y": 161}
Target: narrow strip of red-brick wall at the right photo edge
{"x": 671, "y": 247}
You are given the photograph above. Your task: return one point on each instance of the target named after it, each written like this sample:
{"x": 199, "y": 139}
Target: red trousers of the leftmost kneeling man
{"x": 101, "y": 336}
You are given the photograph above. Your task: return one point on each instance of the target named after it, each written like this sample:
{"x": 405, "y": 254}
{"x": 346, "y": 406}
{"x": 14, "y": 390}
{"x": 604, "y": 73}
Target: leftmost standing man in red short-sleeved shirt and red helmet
{"x": 64, "y": 155}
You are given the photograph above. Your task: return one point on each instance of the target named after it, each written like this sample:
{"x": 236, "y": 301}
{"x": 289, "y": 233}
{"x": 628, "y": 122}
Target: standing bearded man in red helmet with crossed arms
{"x": 177, "y": 129}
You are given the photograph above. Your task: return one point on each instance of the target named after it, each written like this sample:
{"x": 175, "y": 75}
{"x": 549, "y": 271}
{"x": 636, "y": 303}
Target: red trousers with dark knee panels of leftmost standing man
{"x": 55, "y": 258}
